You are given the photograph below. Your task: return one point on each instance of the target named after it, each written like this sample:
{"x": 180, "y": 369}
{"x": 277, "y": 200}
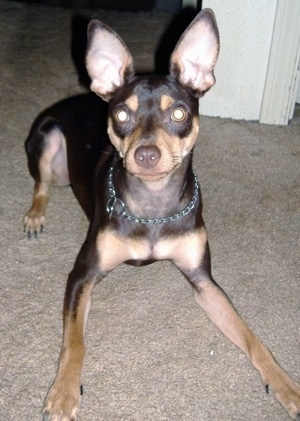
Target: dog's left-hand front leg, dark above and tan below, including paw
{"x": 62, "y": 401}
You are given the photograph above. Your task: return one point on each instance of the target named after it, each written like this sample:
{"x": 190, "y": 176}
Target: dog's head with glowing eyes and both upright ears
{"x": 153, "y": 120}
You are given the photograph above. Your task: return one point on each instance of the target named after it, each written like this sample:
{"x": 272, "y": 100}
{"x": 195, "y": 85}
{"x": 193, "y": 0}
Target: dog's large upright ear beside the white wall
{"x": 196, "y": 53}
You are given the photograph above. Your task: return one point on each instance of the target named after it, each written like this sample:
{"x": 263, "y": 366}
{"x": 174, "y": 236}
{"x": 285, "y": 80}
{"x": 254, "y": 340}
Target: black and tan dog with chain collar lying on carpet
{"x": 128, "y": 158}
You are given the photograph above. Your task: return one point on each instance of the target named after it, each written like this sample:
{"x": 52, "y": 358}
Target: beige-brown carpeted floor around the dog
{"x": 152, "y": 354}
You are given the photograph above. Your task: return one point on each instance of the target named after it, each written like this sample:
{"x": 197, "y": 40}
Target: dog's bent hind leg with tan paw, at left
{"x": 47, "y": 161}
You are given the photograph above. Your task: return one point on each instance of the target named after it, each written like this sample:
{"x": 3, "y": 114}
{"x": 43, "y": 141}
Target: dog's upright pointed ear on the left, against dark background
{"x": 108, "y": 61}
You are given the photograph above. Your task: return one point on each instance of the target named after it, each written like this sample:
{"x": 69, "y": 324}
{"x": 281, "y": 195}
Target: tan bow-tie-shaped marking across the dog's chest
{"x": 185, "y": 251}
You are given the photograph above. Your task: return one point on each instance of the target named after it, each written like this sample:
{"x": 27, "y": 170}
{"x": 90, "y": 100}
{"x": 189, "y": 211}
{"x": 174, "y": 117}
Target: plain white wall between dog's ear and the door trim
{"x": 246, "y": 29}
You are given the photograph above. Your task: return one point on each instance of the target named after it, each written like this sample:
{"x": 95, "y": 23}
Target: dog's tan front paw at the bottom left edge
{"x": 62, "y": 404}
